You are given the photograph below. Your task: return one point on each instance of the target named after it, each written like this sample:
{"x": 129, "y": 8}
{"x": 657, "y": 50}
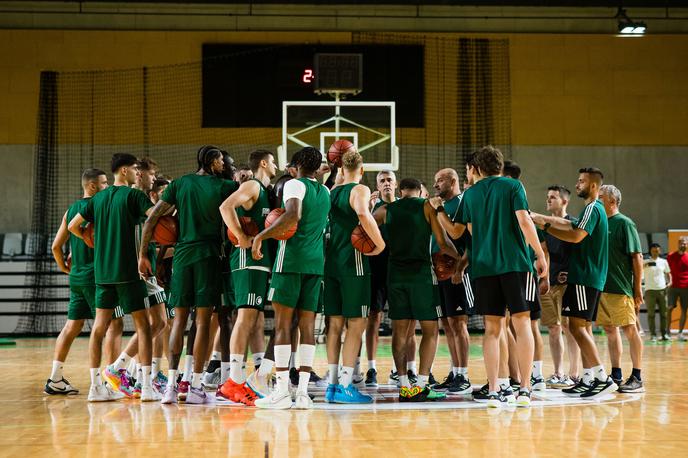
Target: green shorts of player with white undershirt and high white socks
{"x": 301, "y": 291}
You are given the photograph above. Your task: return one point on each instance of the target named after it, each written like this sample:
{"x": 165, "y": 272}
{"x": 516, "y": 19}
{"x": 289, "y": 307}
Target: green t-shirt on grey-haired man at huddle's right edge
{"x": 623, "y": 242}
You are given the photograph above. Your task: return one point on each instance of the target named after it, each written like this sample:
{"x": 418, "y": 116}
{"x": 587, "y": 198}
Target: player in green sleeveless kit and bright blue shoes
{"x": 347, "y": 279}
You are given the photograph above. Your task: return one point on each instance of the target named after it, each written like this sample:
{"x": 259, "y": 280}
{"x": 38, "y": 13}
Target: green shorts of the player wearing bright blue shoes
{"x": 347, "y": 296}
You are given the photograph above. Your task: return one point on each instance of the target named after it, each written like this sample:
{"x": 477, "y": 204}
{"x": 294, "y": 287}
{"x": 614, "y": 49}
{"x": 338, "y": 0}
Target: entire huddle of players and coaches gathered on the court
{"x": 306, "y": 247}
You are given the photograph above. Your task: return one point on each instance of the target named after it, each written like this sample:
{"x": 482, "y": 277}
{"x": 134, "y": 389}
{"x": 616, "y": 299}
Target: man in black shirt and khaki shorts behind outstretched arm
{"x": 557, "y": 201}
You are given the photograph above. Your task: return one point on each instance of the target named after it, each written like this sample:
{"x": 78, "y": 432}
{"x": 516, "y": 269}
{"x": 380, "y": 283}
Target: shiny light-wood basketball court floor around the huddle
{"x": 35, "y": 424}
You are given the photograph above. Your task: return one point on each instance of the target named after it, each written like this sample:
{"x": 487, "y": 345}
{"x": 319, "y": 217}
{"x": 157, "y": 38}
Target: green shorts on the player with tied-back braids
{"x": 197, "y": 285}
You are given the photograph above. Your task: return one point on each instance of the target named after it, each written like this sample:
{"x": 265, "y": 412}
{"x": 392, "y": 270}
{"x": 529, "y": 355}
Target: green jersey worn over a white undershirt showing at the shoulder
{"x": 304, "y": 252}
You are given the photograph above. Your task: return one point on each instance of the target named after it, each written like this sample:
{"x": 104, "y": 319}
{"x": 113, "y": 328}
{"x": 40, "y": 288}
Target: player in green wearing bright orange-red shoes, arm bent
{"x": 250, "y": 277}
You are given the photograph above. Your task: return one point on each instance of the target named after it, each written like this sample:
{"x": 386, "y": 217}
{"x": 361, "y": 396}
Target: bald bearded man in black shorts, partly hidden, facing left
{"x": 453, "y": 293}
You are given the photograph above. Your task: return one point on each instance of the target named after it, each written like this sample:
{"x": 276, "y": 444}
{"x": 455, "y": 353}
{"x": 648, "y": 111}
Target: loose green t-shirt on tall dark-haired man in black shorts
{"x": 498, "y": 245}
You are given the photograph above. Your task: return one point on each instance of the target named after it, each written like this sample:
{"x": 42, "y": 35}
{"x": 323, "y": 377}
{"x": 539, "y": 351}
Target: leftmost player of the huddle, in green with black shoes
{"x": 82, "y": 287}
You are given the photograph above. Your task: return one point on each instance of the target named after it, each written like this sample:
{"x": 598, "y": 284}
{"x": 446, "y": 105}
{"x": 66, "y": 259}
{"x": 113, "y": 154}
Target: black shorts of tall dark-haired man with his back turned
{"x": 497, "y": 293}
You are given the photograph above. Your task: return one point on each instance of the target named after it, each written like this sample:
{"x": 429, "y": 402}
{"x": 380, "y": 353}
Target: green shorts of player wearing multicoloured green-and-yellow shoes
{"x": 414, "y": 301}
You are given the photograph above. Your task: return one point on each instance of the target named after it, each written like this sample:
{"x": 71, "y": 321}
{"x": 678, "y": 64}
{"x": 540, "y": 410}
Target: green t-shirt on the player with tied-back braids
{"x": 198, "y": 199}
